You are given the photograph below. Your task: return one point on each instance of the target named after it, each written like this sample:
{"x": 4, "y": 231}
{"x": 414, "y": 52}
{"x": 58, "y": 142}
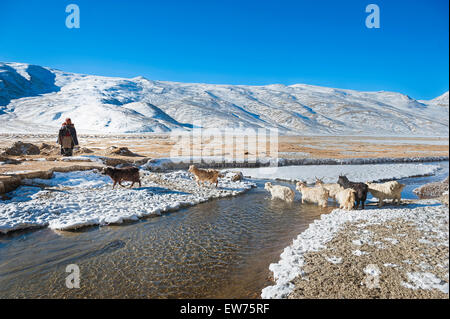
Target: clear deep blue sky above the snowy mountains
{"x": 238, "y": 41}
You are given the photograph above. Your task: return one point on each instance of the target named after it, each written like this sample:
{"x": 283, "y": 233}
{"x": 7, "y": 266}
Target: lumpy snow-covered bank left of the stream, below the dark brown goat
{"x": 78, "y": 199}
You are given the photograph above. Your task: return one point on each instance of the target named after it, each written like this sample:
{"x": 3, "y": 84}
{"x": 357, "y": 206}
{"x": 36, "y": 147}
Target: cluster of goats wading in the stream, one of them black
{"x": 349, "y": 195}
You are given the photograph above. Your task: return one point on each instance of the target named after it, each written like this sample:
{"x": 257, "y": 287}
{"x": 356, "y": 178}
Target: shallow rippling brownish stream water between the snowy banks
{"x": 219, "y": 249}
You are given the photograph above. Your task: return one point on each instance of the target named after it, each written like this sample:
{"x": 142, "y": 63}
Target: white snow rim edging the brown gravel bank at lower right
{"x": 323, "y": 230}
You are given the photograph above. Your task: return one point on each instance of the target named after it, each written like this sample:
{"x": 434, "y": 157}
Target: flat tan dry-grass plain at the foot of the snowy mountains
{"x": 130, "y": 148}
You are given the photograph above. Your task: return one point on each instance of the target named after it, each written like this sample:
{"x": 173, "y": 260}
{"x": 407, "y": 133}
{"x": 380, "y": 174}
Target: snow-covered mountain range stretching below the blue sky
{"x": 38, "y": 99}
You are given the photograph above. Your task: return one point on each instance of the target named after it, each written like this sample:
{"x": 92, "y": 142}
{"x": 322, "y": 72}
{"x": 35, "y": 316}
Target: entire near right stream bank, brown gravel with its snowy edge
{"x": 394, "y": 252}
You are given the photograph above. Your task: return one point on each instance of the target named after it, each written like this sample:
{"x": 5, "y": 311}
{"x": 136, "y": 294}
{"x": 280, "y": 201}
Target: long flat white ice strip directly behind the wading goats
{"x": 330, "y": 173}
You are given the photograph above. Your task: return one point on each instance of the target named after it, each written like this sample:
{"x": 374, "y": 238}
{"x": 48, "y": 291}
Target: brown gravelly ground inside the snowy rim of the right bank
{"x": 399, "y": 261}
